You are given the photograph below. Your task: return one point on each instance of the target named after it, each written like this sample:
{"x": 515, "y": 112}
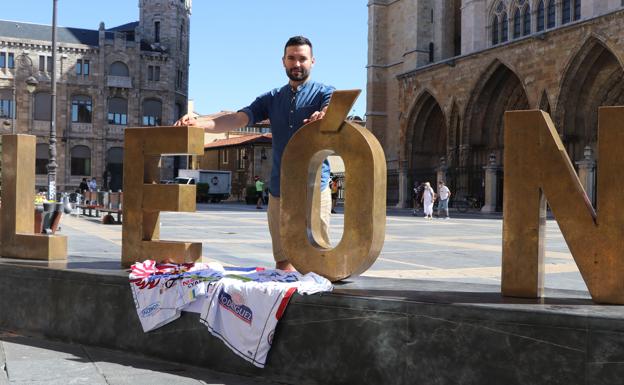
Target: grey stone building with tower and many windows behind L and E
{"x": 107, "y": 79}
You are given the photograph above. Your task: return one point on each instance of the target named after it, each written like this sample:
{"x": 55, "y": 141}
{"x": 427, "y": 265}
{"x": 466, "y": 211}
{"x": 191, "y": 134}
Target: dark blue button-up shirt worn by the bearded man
{"x": 287, "y": 109}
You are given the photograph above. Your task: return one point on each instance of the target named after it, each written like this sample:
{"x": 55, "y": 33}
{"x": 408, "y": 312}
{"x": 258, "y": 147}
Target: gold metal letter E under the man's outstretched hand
{"x": 144, "y": 198}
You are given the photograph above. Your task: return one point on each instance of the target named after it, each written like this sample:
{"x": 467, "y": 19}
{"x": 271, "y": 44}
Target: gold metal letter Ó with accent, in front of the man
{"x": 365, "y": 207}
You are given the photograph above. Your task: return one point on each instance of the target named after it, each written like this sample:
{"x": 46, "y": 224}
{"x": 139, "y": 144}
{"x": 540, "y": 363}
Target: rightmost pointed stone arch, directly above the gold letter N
{"x": 594, "y": 77}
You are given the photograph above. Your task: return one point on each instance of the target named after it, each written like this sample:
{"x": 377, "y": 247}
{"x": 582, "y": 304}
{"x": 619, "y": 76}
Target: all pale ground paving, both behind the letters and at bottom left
{"x": 462, "y": 249}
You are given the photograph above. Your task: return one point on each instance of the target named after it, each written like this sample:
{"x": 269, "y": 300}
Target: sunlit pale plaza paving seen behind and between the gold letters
{"x": 462, "y": 249}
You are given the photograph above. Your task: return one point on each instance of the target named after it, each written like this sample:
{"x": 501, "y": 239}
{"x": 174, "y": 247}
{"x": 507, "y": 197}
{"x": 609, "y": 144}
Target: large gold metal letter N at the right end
{"x": 536, "y": 164}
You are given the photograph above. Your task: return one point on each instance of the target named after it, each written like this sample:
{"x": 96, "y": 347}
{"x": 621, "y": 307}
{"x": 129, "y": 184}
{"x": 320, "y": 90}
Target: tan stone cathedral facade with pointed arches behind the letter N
{"x": 441, "y": 74}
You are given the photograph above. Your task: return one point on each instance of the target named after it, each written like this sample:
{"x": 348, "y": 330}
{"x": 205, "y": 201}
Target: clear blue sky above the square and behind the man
{"x": 237, "y": 45}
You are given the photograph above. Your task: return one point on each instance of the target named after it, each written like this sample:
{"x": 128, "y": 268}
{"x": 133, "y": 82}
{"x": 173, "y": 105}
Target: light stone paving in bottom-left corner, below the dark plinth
{"x": 36, "y": 361}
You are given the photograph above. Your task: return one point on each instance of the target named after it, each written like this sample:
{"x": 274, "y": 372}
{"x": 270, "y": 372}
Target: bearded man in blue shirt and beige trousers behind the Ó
{"x": 288, "y": 108}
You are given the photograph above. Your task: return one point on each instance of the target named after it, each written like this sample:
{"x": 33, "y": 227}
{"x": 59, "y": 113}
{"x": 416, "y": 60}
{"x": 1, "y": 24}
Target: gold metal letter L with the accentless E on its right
{"x": 18, "y": 206}
